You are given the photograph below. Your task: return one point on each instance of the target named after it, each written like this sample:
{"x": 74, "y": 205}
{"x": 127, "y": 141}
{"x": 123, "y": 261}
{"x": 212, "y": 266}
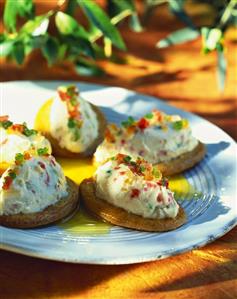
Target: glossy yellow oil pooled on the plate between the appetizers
{"x": 84, "y": 224}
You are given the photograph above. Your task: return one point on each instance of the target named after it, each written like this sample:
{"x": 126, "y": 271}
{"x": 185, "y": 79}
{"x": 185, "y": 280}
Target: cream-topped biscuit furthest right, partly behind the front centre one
{"x": 161, "y": 139}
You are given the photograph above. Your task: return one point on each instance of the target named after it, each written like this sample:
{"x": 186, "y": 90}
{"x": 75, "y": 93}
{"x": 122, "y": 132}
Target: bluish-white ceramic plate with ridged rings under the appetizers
{"x": 210, "y": 217}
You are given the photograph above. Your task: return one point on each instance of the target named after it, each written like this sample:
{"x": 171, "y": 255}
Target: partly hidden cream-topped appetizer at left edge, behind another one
{"x": 16, "y": 138}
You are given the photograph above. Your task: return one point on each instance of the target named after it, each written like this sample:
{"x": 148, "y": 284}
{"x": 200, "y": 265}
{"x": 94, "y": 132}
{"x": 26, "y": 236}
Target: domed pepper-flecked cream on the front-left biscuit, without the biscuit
{"x": 31, "y": 185}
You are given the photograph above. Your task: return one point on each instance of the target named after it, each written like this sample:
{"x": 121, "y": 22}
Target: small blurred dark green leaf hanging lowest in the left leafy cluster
{"x": 86, "y": 68}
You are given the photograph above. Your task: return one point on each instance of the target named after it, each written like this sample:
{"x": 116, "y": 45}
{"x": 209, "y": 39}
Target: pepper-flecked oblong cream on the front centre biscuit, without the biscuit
{"x": 118, "y": 184}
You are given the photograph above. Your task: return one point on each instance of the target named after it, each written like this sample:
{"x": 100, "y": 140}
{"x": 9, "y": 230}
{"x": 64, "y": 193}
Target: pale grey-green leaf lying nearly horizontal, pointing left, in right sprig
{"x": 178, "y": 37}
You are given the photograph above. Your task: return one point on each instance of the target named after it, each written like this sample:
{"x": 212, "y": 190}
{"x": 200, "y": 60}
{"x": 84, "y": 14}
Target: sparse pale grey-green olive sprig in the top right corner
{"x": 225, "y": 12}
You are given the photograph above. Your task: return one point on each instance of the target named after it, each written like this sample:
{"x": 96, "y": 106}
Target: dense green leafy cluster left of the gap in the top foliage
{"x": 71, "y": 41}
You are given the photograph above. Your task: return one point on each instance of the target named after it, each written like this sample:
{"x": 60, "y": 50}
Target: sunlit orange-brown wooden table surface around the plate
{"x": 185, "y": 78}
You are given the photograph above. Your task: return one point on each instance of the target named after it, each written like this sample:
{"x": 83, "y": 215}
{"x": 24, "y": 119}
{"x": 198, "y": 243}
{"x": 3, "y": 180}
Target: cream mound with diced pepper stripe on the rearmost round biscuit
{"x": 72, "y": 120}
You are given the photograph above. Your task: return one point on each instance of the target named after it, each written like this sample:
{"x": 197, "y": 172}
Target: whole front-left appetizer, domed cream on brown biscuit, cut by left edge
{"x": 35, "y": 192}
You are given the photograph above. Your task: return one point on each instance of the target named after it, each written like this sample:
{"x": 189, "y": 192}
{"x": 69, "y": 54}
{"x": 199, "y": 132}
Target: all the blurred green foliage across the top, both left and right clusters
{"x": 84, "y": 45}
